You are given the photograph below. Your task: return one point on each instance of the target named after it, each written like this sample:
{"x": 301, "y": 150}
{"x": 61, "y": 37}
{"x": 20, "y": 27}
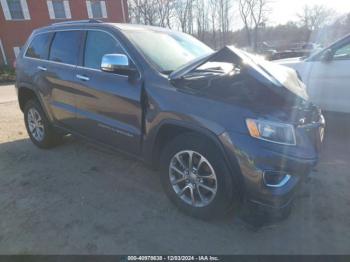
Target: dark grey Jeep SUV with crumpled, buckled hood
{"x": 222, "y": 128}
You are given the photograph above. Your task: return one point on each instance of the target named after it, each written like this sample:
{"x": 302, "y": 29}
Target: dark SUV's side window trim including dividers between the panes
{"x": 75, "y": 66}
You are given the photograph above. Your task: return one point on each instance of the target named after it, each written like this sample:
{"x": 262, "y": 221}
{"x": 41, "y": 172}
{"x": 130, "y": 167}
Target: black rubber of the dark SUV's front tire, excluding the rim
{"x": 226, "y": 196}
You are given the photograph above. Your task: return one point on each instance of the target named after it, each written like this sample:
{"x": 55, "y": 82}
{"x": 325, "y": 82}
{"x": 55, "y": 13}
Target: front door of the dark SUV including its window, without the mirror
{"x": 108, "y": 105}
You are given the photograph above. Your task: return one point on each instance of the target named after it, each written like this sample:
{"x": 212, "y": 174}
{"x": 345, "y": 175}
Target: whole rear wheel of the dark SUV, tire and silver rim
{"x": 43, "y": 135}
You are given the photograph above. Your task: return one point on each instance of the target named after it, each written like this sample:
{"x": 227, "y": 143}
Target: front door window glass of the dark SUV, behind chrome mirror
{"x": 97, "y": 45}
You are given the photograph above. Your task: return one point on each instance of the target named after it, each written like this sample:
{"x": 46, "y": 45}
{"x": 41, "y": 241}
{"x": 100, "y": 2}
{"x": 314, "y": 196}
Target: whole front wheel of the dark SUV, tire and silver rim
{"x": 214, "y": 205}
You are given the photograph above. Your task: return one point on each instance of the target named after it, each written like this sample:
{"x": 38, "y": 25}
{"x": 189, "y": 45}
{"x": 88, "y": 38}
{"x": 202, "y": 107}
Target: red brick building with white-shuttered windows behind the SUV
{"x": 18, "y": 18}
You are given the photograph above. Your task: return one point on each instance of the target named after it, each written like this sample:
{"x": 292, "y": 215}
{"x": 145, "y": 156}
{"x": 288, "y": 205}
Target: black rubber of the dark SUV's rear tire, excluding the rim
{"x": 50, "y": 137}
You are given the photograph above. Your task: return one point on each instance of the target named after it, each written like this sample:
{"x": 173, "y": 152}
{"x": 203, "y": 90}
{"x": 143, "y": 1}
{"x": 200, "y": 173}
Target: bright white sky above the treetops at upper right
{"x": 286, "y": 10}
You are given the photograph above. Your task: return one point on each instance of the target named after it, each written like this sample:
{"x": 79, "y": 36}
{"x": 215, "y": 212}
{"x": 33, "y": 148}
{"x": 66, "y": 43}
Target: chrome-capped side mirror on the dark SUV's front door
{"x": 116, "y": 63}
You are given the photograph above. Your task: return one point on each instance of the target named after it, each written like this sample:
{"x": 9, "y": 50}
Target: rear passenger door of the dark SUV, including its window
{"x": 60, "y": 75}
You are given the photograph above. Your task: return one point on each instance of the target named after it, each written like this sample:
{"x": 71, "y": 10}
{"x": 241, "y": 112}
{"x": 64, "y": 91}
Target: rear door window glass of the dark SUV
{"x": 65, "y": 47}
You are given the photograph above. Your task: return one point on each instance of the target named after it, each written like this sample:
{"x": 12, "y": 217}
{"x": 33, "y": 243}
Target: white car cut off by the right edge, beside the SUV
{"x": 326, "y": 75}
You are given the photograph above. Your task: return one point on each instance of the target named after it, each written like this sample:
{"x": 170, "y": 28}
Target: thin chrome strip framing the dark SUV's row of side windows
{"x": 77, "y": 66}
